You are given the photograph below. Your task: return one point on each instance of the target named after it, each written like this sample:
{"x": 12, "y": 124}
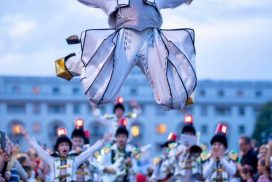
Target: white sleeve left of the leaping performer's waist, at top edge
{"x": 106, "y": 5}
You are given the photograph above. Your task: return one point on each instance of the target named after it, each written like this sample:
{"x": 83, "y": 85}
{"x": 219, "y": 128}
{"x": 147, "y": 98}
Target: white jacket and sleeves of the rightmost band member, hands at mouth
{"x": 219, "y": 170}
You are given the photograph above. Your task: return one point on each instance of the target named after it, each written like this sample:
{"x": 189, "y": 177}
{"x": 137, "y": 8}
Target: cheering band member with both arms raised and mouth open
{"x": 62, "y": 165}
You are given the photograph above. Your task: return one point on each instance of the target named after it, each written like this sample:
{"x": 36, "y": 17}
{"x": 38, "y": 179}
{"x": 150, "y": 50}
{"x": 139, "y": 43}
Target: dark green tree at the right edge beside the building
{"x": 263, "y": 127}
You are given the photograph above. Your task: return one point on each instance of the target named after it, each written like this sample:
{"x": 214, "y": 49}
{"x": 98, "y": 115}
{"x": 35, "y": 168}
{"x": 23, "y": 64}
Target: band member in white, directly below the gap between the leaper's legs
{"x": 118, "y": 163}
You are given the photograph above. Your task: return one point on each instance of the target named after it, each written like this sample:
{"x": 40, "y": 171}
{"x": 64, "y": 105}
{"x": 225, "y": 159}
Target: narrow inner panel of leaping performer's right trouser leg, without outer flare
{"x": 154, "y": 65}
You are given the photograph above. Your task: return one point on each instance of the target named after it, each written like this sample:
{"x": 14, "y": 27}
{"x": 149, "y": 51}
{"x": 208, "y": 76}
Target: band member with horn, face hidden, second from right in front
{"x": 186, "y": 155}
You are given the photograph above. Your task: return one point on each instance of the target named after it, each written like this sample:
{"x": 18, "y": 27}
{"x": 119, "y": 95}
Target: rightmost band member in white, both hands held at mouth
{"x": 219, "y": 165}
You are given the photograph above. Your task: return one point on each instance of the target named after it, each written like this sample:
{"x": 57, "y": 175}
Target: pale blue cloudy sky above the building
{"x": 233, "y": 37}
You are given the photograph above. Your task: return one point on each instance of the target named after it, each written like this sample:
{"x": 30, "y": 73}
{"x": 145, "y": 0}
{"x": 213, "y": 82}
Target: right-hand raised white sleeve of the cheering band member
{"x": 88, "y": 153}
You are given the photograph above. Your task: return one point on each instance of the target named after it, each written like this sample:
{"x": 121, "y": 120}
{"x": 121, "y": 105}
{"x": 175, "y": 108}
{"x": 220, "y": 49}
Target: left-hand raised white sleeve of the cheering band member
{"x": 41, "y": 152}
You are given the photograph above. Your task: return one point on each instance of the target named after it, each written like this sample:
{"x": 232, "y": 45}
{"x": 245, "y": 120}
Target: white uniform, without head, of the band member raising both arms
{"x": 64, "y": 169}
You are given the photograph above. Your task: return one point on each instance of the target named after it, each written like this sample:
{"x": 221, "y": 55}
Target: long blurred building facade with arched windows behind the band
{"x": 42, "y": 104}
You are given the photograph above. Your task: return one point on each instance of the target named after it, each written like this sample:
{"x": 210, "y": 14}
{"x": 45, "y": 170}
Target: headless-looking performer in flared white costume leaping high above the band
{"x": 166, "y": 57}
